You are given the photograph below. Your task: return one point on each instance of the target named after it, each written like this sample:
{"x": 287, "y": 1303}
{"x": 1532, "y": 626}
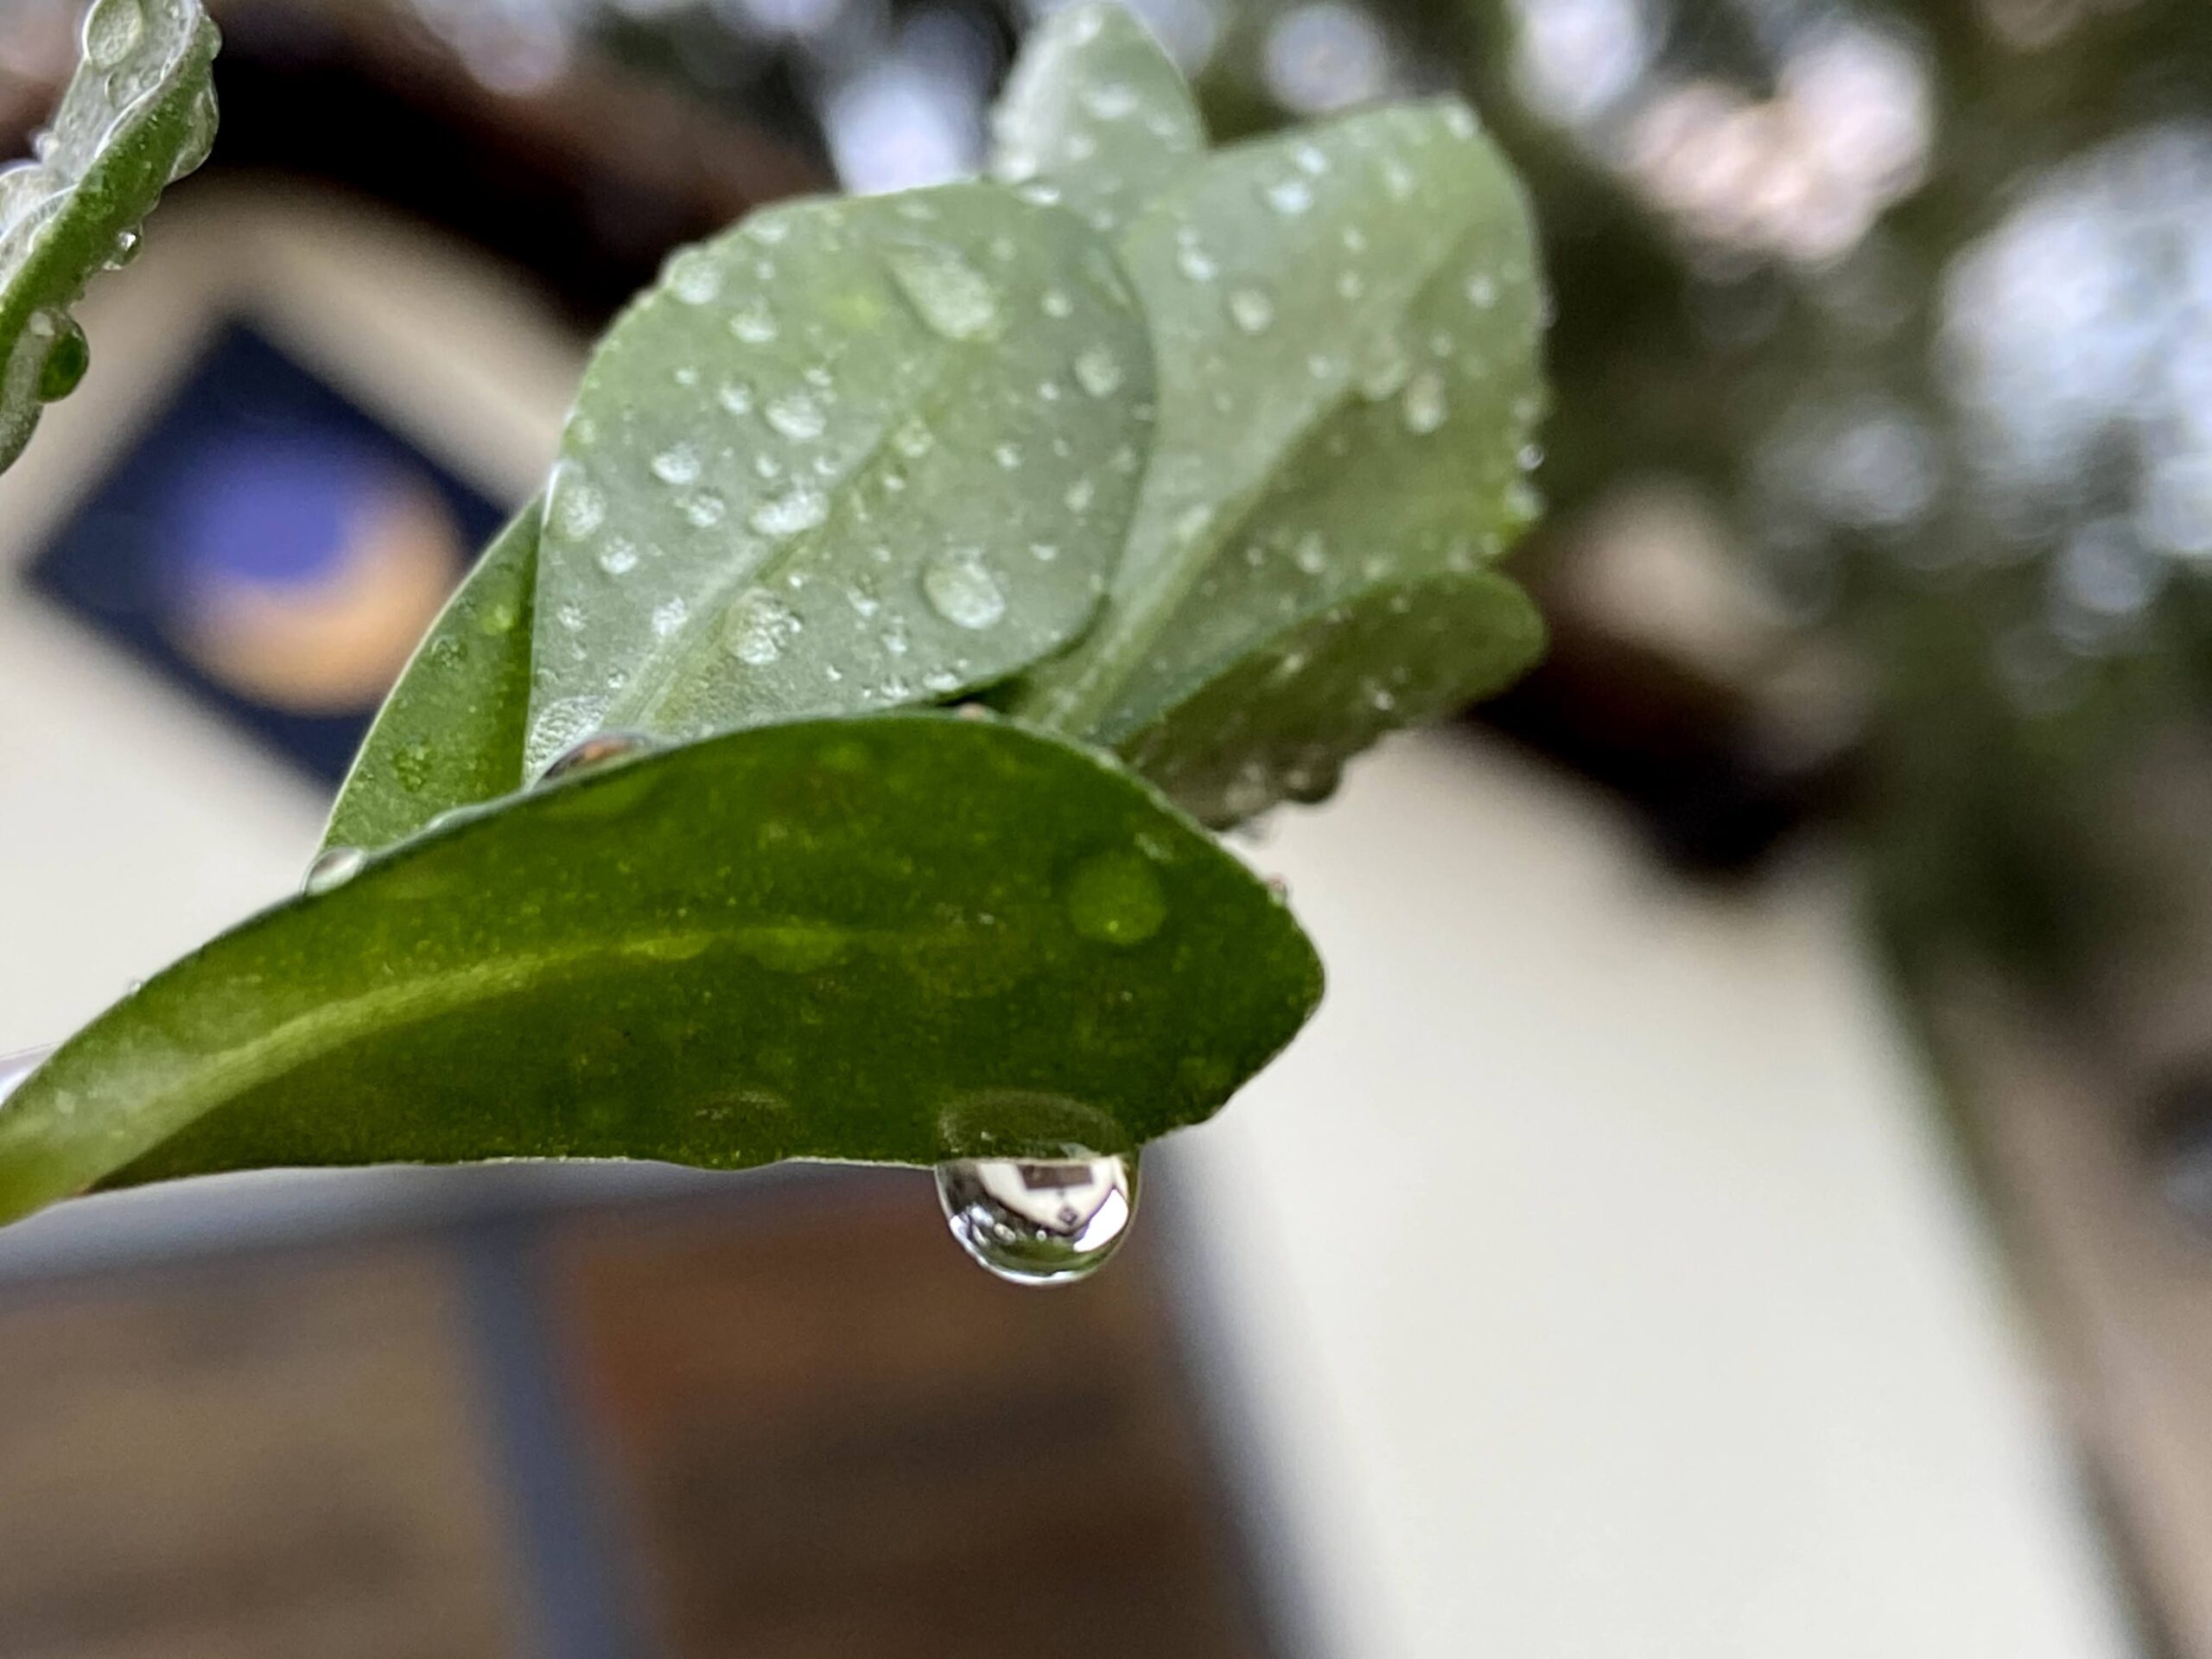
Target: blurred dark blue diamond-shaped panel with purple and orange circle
{"x": 271, "y": 547}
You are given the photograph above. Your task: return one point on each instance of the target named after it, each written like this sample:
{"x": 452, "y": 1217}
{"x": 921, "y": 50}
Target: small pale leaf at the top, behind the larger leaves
{"x": 1100, "y": 112}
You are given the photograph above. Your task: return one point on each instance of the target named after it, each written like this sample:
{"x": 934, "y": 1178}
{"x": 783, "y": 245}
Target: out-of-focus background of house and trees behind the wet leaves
{"x": 1751, "y": 1189}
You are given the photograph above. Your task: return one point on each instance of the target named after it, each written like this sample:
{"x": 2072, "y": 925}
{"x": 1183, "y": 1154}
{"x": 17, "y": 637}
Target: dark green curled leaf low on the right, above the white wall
{"x": 1282, "y": 722}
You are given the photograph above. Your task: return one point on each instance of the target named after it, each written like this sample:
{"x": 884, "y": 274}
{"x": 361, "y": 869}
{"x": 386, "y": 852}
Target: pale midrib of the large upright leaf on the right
{"x": 1081, "y": 705}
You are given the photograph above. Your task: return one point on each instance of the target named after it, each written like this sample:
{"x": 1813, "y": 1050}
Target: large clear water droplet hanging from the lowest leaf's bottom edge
{"x": 1039, "y": 1222}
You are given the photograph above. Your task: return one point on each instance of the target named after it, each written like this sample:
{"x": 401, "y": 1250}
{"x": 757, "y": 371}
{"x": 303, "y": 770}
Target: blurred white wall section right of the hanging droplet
{"x": 1600, "y": 1275}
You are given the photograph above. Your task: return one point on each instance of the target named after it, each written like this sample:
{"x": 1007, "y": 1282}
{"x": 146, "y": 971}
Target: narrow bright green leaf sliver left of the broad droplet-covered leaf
{"x": 452, "y": 731}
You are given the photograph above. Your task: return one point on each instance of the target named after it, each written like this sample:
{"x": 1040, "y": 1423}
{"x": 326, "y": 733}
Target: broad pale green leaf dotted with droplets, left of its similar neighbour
{"x": 848, "y": 457}
